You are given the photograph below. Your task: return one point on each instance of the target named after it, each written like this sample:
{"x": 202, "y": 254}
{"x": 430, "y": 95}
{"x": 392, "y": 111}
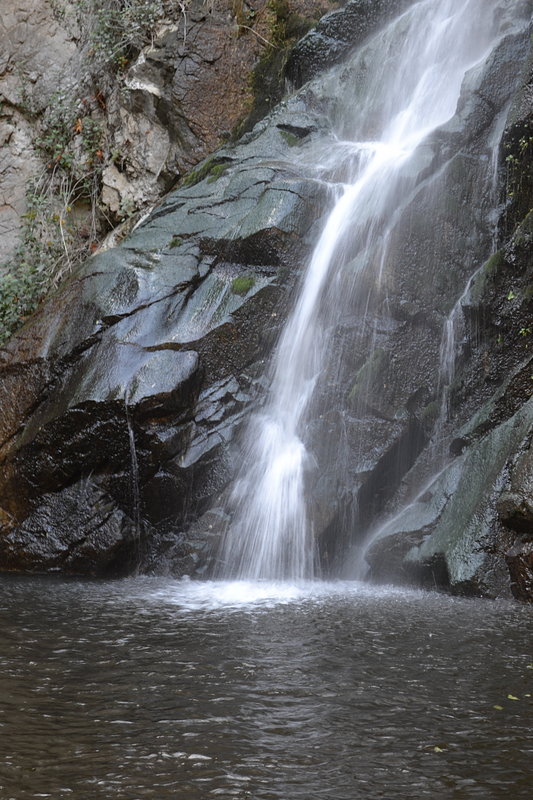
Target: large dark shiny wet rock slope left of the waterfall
{"x": 131, "y": 381}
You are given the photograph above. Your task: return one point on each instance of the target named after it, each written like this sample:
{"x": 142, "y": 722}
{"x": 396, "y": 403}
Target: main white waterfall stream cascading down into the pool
{"x": 416, "y": 66}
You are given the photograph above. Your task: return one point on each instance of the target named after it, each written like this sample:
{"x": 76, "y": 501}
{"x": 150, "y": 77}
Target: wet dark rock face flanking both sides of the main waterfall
{"x": 124, "y": 395}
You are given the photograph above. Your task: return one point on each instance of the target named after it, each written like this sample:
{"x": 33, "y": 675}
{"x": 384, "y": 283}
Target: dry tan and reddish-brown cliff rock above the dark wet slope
{"x": 138, "y": 99}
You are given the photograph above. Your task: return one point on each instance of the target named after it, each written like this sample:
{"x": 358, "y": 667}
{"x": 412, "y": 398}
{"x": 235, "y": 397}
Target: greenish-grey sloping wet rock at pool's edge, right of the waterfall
{"x": 458, "y": 518}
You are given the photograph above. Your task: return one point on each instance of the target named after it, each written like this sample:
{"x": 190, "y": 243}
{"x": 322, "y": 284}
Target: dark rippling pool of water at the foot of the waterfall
{"x": 157, "y": 688}
